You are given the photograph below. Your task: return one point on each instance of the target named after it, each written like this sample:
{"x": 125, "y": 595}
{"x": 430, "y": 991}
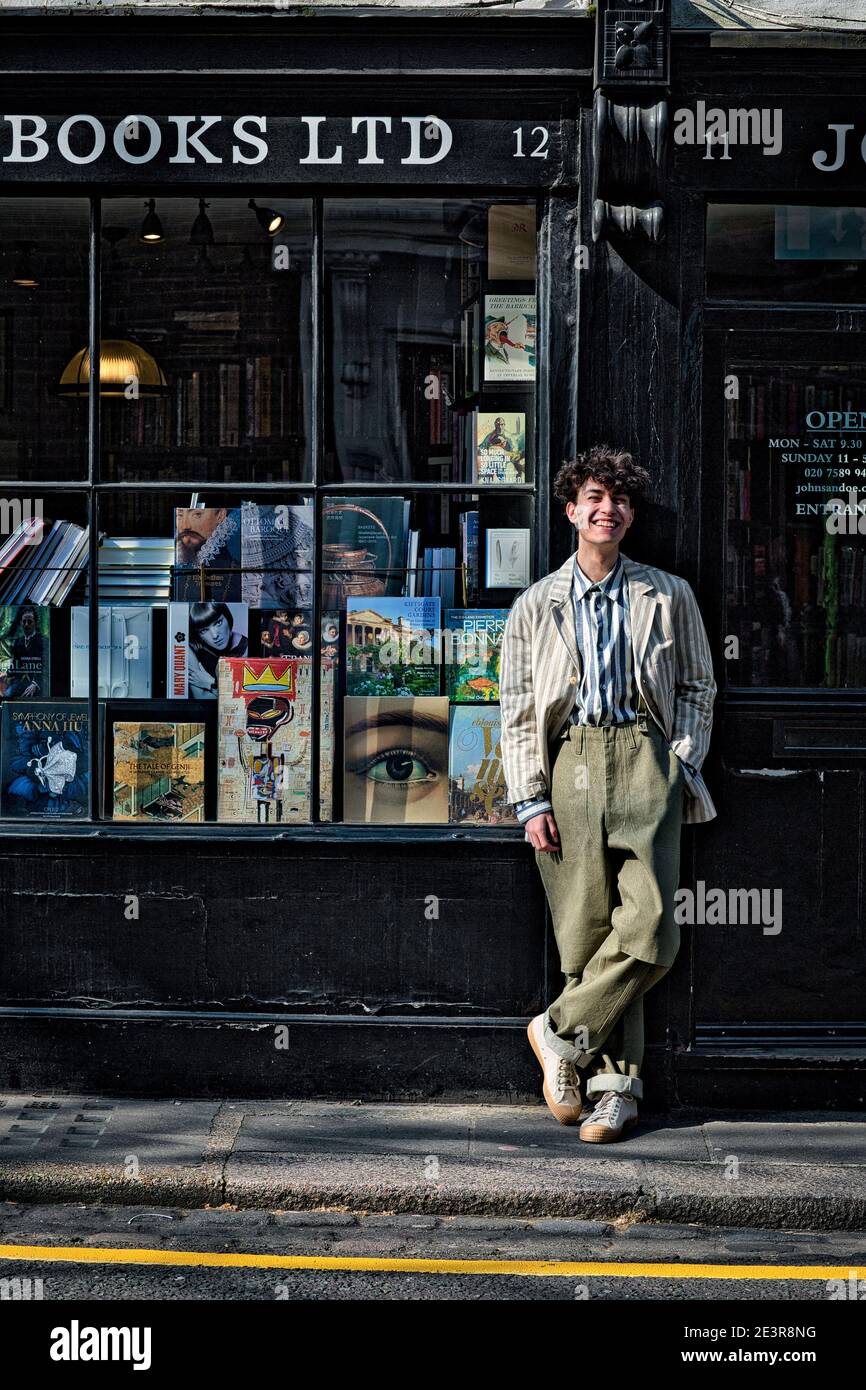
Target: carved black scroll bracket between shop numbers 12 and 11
{"x": 629, "y": 126}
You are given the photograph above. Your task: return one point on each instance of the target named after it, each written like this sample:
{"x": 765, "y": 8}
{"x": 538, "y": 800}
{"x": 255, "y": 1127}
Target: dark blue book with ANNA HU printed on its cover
{"x": 45, "y": 761}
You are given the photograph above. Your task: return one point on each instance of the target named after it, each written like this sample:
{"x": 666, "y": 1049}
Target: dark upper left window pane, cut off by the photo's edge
{"x": 44, "y": 326}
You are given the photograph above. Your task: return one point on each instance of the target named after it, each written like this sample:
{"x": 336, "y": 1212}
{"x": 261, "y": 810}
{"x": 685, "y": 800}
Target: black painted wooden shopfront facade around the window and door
{"x": 326, "y": 929}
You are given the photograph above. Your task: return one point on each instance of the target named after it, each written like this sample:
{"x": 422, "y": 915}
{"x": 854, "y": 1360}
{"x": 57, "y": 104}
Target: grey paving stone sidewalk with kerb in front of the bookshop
{"x": 799, "y": 1172}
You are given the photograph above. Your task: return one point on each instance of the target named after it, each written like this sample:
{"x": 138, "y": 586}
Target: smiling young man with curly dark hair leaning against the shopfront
{"x": 607, "y": 693}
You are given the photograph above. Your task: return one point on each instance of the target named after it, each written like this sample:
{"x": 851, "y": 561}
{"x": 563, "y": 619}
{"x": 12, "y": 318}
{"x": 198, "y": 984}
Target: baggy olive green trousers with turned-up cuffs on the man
{"x": 618, "y": 803}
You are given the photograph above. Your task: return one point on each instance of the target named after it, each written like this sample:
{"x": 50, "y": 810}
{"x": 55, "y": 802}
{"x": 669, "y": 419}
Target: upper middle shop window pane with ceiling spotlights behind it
{"x": 206, "y": 340}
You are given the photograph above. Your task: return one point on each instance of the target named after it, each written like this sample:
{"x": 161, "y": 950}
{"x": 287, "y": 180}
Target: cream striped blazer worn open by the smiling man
{"x": 541, "y": 668}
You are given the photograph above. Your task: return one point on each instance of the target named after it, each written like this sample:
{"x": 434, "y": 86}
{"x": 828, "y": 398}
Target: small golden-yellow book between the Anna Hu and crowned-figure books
{"x": 159, "y": 772}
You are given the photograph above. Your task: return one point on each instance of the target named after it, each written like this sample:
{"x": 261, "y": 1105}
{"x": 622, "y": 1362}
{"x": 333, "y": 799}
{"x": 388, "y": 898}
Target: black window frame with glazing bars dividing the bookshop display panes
{"x": 555, "y": 420}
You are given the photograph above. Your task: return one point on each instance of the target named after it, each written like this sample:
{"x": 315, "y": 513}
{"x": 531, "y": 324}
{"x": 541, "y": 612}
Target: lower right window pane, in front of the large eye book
{"x": 416, "y": 590}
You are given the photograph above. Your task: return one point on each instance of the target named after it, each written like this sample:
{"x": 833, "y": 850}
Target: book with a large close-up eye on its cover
{"x": 395, "y": 760}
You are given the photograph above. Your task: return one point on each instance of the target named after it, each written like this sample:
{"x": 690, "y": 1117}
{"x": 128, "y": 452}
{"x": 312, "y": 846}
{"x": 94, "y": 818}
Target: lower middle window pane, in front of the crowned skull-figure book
{"x": 206, "y": 615}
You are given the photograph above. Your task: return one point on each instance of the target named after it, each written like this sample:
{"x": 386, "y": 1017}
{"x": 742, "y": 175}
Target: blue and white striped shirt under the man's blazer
{"x": 608, "y": 693}
